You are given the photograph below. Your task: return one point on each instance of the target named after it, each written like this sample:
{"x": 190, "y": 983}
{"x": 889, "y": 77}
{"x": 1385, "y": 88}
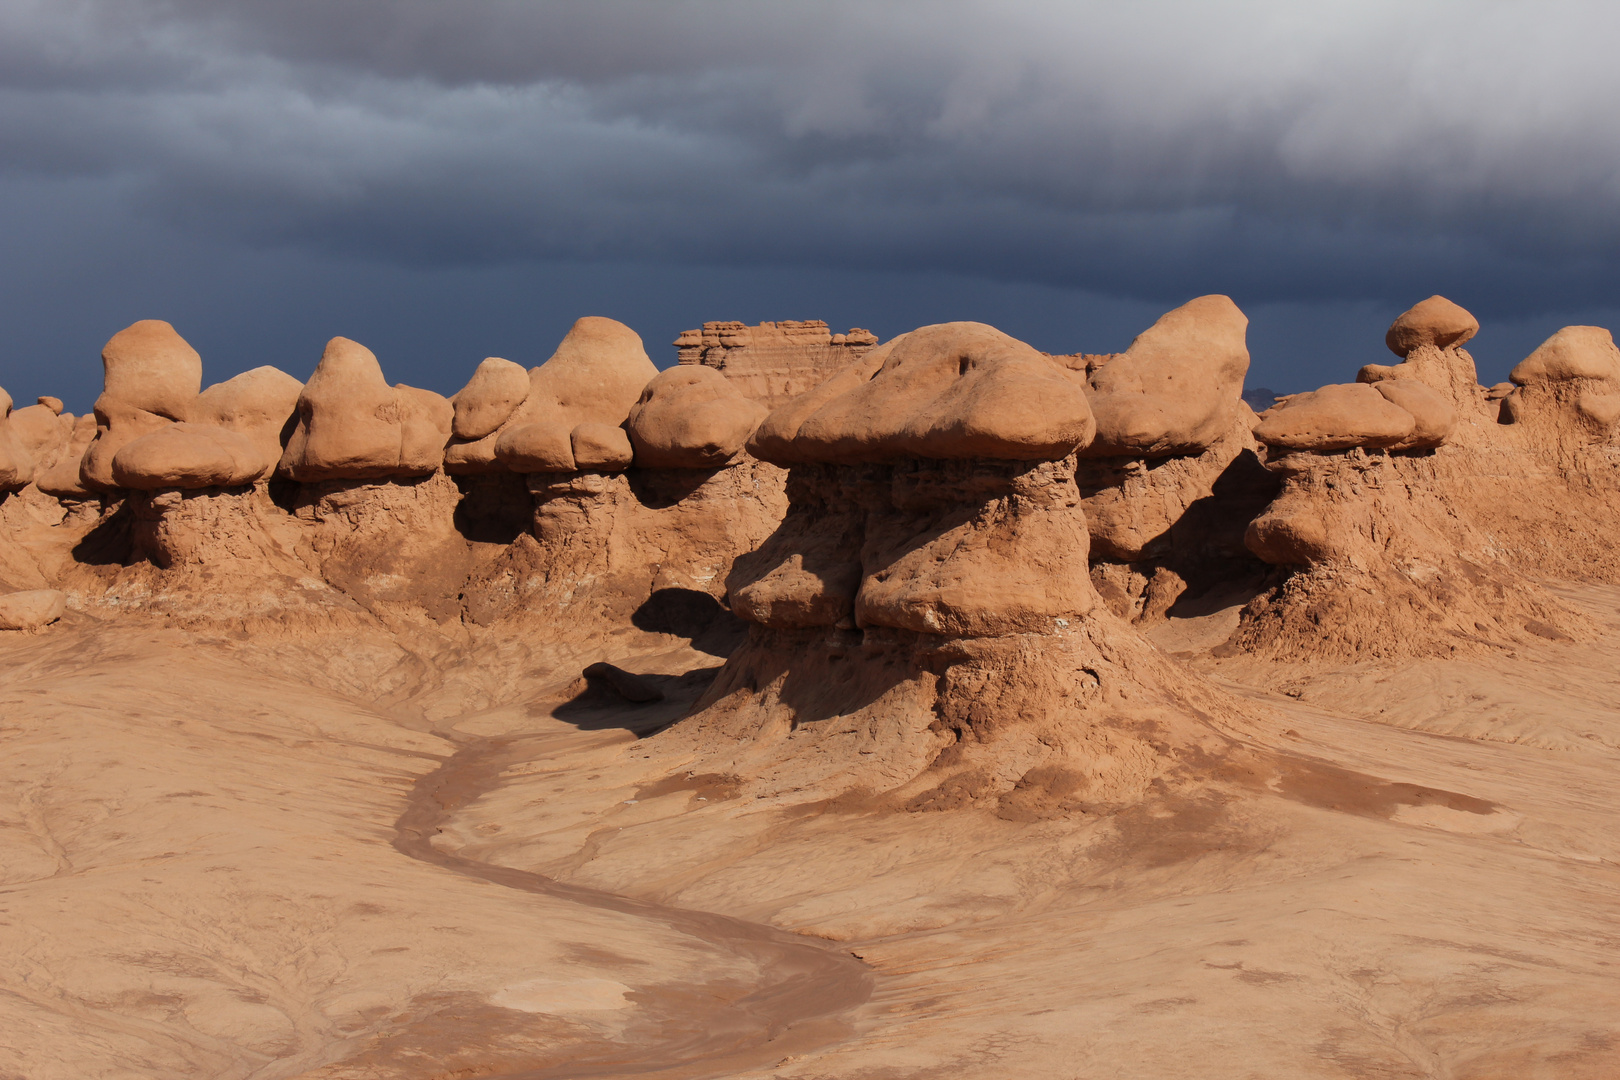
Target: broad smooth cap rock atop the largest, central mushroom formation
{"x": 950, "y": 391}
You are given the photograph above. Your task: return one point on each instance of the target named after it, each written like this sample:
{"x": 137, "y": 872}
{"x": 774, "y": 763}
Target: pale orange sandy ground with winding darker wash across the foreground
{"x": 215, "y": 869}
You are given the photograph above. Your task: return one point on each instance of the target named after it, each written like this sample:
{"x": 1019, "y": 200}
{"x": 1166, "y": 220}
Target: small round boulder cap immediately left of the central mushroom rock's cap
{"x": 691, "y": 417}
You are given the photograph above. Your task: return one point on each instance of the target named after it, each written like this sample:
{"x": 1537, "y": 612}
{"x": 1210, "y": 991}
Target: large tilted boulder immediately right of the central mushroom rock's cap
{"x": 1177, "y": 389}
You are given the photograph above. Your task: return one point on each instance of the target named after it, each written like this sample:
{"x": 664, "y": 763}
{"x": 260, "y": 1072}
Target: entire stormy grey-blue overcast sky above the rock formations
{"x": 448, "y": 181}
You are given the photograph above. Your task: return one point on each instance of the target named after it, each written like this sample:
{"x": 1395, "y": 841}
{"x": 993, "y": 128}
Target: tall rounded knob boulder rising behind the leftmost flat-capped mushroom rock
{"x": 151, "y": 380}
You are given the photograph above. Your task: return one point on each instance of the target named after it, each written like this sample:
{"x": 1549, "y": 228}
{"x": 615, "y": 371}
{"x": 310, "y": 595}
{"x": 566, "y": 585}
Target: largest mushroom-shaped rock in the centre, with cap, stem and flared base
{"x": 926, "y": 600}
